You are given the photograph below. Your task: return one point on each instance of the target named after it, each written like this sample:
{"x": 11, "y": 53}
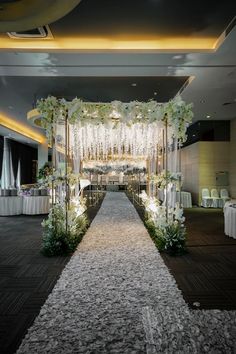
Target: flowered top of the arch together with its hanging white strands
{"x": 99, "y": 130}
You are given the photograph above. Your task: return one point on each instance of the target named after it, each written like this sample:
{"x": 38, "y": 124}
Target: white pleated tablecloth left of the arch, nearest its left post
{"x": 36, "y": 205}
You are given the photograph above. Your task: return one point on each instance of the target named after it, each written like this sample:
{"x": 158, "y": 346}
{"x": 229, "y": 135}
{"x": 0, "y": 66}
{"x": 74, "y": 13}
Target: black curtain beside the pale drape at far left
{"x": 27, "y": 156}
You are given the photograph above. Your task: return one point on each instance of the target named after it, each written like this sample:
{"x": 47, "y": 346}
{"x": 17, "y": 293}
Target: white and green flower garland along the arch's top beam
{"x": 175, "y": 113}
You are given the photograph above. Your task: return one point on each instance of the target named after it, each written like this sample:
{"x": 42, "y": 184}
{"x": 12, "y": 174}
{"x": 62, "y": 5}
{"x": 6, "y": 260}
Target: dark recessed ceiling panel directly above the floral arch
{"x": 95, "y": 89}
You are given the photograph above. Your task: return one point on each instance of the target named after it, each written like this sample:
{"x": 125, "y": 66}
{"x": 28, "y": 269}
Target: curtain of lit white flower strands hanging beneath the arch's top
{"x": 100, "y": 141}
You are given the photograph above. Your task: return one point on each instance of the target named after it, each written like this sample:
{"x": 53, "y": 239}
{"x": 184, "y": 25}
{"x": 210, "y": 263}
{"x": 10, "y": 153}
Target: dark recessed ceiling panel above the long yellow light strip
{"x": 145, "y": 18}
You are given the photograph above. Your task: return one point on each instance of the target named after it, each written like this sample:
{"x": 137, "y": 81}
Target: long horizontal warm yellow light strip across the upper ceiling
{"x": 83, "y": 43}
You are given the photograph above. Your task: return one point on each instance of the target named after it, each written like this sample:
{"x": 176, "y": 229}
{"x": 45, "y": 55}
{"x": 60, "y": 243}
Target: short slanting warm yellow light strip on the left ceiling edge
{"x": 20, "y": 128}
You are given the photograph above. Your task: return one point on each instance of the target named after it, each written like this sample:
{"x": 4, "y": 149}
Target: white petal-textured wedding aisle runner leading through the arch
{"x": 117, "y": 296}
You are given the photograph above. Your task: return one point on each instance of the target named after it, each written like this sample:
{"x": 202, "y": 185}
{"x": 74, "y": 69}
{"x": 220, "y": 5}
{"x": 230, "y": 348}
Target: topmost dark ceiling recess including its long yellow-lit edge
{"x": 129, "y": 24}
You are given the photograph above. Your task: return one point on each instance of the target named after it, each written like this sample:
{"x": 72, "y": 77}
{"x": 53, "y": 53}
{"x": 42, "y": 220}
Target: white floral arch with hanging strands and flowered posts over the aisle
{"x": 80, "y": 131}
